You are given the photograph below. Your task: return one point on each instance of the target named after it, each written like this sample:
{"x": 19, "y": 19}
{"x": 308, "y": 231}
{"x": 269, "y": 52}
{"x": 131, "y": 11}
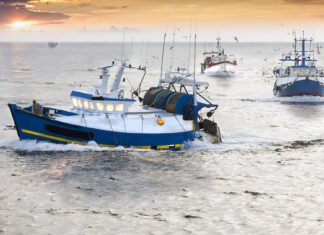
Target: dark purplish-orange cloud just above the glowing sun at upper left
{"x": 14, "y": 10}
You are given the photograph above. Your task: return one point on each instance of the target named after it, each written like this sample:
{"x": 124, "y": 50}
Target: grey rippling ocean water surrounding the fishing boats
{"x": 265, "y": 178}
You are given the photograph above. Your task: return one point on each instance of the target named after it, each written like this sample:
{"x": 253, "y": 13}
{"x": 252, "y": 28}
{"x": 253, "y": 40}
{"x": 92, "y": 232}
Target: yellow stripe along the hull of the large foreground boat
{"x": 159, "y": 147}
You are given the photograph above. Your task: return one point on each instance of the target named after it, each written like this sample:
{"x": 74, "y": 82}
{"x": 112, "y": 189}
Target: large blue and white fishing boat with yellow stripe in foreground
{"x": 167, "y": 116}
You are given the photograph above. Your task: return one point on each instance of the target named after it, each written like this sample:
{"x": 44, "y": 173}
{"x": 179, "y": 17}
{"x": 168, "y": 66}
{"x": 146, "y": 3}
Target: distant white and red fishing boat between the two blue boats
{"x": 217, "y": 63}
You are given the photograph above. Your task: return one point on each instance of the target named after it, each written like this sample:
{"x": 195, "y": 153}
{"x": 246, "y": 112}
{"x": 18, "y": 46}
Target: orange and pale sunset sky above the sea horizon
{"x": 99, "y": 20}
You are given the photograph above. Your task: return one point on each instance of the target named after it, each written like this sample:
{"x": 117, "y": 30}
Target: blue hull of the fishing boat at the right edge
{"x": 300, "y": 88}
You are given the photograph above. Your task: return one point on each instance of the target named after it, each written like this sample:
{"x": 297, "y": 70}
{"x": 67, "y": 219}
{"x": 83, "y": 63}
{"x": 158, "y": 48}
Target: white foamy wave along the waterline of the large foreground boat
{"x": 238, "y": 142}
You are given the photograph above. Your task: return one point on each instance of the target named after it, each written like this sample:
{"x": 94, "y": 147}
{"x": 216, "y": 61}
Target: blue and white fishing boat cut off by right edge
{"x": 298, "y": 74}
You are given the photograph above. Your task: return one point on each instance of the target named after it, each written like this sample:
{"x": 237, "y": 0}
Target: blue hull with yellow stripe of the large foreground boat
{"x": 33, "y": 127}
